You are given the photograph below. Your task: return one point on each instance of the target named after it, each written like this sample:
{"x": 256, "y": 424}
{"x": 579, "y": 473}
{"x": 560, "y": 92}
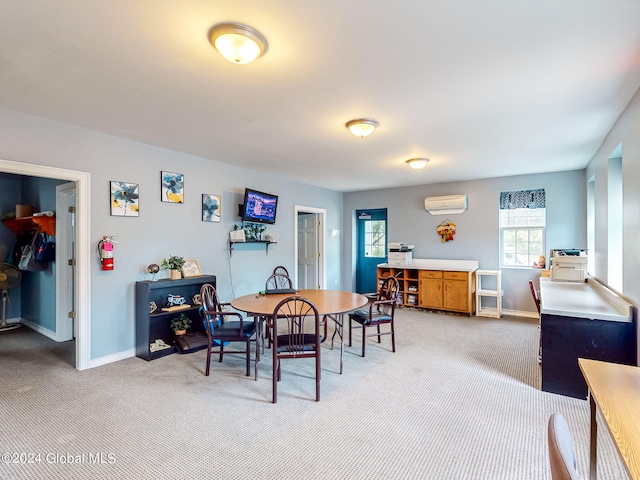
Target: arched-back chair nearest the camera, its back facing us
{"x": 295, "y": 334}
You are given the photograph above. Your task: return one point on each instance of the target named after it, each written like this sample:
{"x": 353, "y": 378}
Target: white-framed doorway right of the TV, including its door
{"x": 309, "y": 247}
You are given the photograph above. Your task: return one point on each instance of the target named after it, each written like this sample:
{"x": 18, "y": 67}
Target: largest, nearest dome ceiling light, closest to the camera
{"x": 238, "y": 43}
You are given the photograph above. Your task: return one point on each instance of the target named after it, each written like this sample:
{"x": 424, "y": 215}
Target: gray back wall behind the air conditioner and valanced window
{"x": 477, "y": 229}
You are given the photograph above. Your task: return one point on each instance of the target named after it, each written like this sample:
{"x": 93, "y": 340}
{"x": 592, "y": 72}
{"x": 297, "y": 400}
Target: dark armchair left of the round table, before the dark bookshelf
{"x": 225, "y": 326}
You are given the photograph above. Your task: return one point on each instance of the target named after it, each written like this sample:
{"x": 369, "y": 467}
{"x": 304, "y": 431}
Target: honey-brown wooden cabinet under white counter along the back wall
{"x": 435, "y": 289}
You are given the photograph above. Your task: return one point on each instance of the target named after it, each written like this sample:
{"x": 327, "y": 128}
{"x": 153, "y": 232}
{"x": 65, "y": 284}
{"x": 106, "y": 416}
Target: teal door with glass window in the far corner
{"x": 371, "y": 238}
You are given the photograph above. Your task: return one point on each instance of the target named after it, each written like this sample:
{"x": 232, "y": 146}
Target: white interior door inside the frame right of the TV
{"x": 308, "y": 256}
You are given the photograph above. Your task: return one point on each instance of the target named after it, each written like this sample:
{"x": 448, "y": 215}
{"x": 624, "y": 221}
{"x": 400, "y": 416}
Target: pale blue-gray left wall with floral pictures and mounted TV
{"x": 164, "y": 229}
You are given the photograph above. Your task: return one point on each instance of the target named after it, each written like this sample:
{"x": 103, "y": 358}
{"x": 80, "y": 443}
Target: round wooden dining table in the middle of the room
{"x": 330, "y": 303}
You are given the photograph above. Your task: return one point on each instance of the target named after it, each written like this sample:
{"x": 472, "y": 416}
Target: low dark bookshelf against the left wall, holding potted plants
{"x": 156, "y": 325}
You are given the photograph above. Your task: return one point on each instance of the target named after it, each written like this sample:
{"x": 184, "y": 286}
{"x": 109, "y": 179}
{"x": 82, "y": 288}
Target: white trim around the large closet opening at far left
{"x": 83, "y": 245}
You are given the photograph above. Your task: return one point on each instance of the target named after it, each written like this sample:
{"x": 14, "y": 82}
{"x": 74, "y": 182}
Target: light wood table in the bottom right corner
{"x": 615, "y": 390}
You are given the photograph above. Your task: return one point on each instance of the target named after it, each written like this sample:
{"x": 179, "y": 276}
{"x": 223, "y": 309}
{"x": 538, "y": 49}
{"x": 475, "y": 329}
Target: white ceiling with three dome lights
{"x": 483, "y": 88}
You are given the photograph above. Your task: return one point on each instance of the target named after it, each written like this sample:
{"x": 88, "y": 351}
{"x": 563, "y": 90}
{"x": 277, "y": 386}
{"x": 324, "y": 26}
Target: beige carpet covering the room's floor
{"x": 459, "y": 399}
